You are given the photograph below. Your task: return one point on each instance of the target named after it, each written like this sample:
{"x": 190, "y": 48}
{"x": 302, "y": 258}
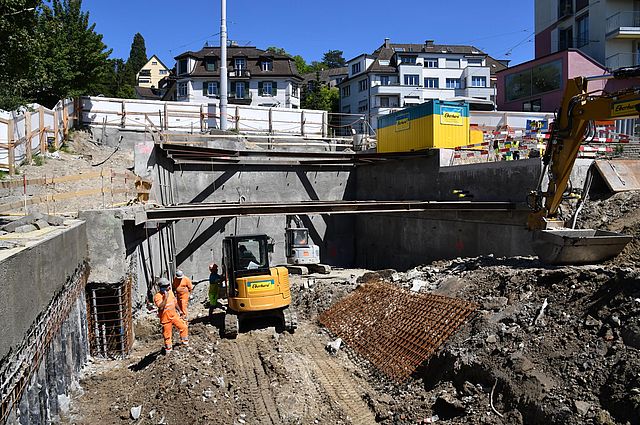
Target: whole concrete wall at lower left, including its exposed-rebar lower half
{"x": 45, "y": 340}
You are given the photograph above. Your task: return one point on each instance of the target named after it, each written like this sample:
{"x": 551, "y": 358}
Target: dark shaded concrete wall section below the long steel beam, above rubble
{"x": 402, "y": 241}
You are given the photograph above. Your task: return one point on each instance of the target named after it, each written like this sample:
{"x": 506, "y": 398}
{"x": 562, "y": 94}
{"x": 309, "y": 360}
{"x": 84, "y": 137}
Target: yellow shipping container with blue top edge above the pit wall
{"x": 433, "y": 124}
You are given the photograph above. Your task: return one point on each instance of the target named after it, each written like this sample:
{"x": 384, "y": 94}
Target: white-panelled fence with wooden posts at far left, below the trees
{"x": 32, "y": 130}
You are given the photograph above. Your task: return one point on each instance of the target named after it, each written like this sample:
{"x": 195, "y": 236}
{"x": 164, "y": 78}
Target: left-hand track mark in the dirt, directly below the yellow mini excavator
{"x": 248, "y": 361}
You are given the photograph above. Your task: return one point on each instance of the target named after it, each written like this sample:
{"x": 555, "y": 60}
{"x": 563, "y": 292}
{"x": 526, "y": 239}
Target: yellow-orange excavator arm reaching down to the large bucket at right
{"x": 578, "y": 109}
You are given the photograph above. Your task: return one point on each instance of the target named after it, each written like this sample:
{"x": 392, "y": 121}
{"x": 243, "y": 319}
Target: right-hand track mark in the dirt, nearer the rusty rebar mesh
{"x": 338, "y": 385}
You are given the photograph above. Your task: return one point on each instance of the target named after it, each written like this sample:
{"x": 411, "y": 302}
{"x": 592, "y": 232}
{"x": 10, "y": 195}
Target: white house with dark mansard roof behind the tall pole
{"x": 255, "y": 77}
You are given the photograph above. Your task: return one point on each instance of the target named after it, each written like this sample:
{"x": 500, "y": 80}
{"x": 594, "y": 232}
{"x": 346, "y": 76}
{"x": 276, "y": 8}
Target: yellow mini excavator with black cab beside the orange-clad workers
{"x": 255, "y": 290}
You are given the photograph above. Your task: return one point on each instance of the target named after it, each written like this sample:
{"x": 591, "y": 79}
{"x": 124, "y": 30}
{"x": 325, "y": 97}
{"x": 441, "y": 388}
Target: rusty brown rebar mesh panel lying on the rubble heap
{"x": 395, "y": 329}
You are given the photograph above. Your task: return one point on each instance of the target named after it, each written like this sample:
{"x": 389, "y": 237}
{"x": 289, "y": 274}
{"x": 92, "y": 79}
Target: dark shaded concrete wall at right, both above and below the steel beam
{"x": 406, "y": 240}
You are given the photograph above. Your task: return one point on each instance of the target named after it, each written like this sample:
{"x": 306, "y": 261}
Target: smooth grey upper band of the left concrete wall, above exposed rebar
{"x": 32, "y": 276}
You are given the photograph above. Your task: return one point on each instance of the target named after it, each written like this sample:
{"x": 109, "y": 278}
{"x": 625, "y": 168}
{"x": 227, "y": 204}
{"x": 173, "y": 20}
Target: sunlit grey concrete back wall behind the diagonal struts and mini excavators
{"x": 199, "y": 242}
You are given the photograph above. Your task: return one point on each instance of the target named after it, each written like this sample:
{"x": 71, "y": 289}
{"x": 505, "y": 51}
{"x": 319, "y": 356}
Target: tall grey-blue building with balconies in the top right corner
{"x": 606, "y": 30}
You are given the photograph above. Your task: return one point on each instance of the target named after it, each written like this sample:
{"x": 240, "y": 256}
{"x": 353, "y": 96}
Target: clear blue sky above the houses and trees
{"x": 502, "y": 28}
